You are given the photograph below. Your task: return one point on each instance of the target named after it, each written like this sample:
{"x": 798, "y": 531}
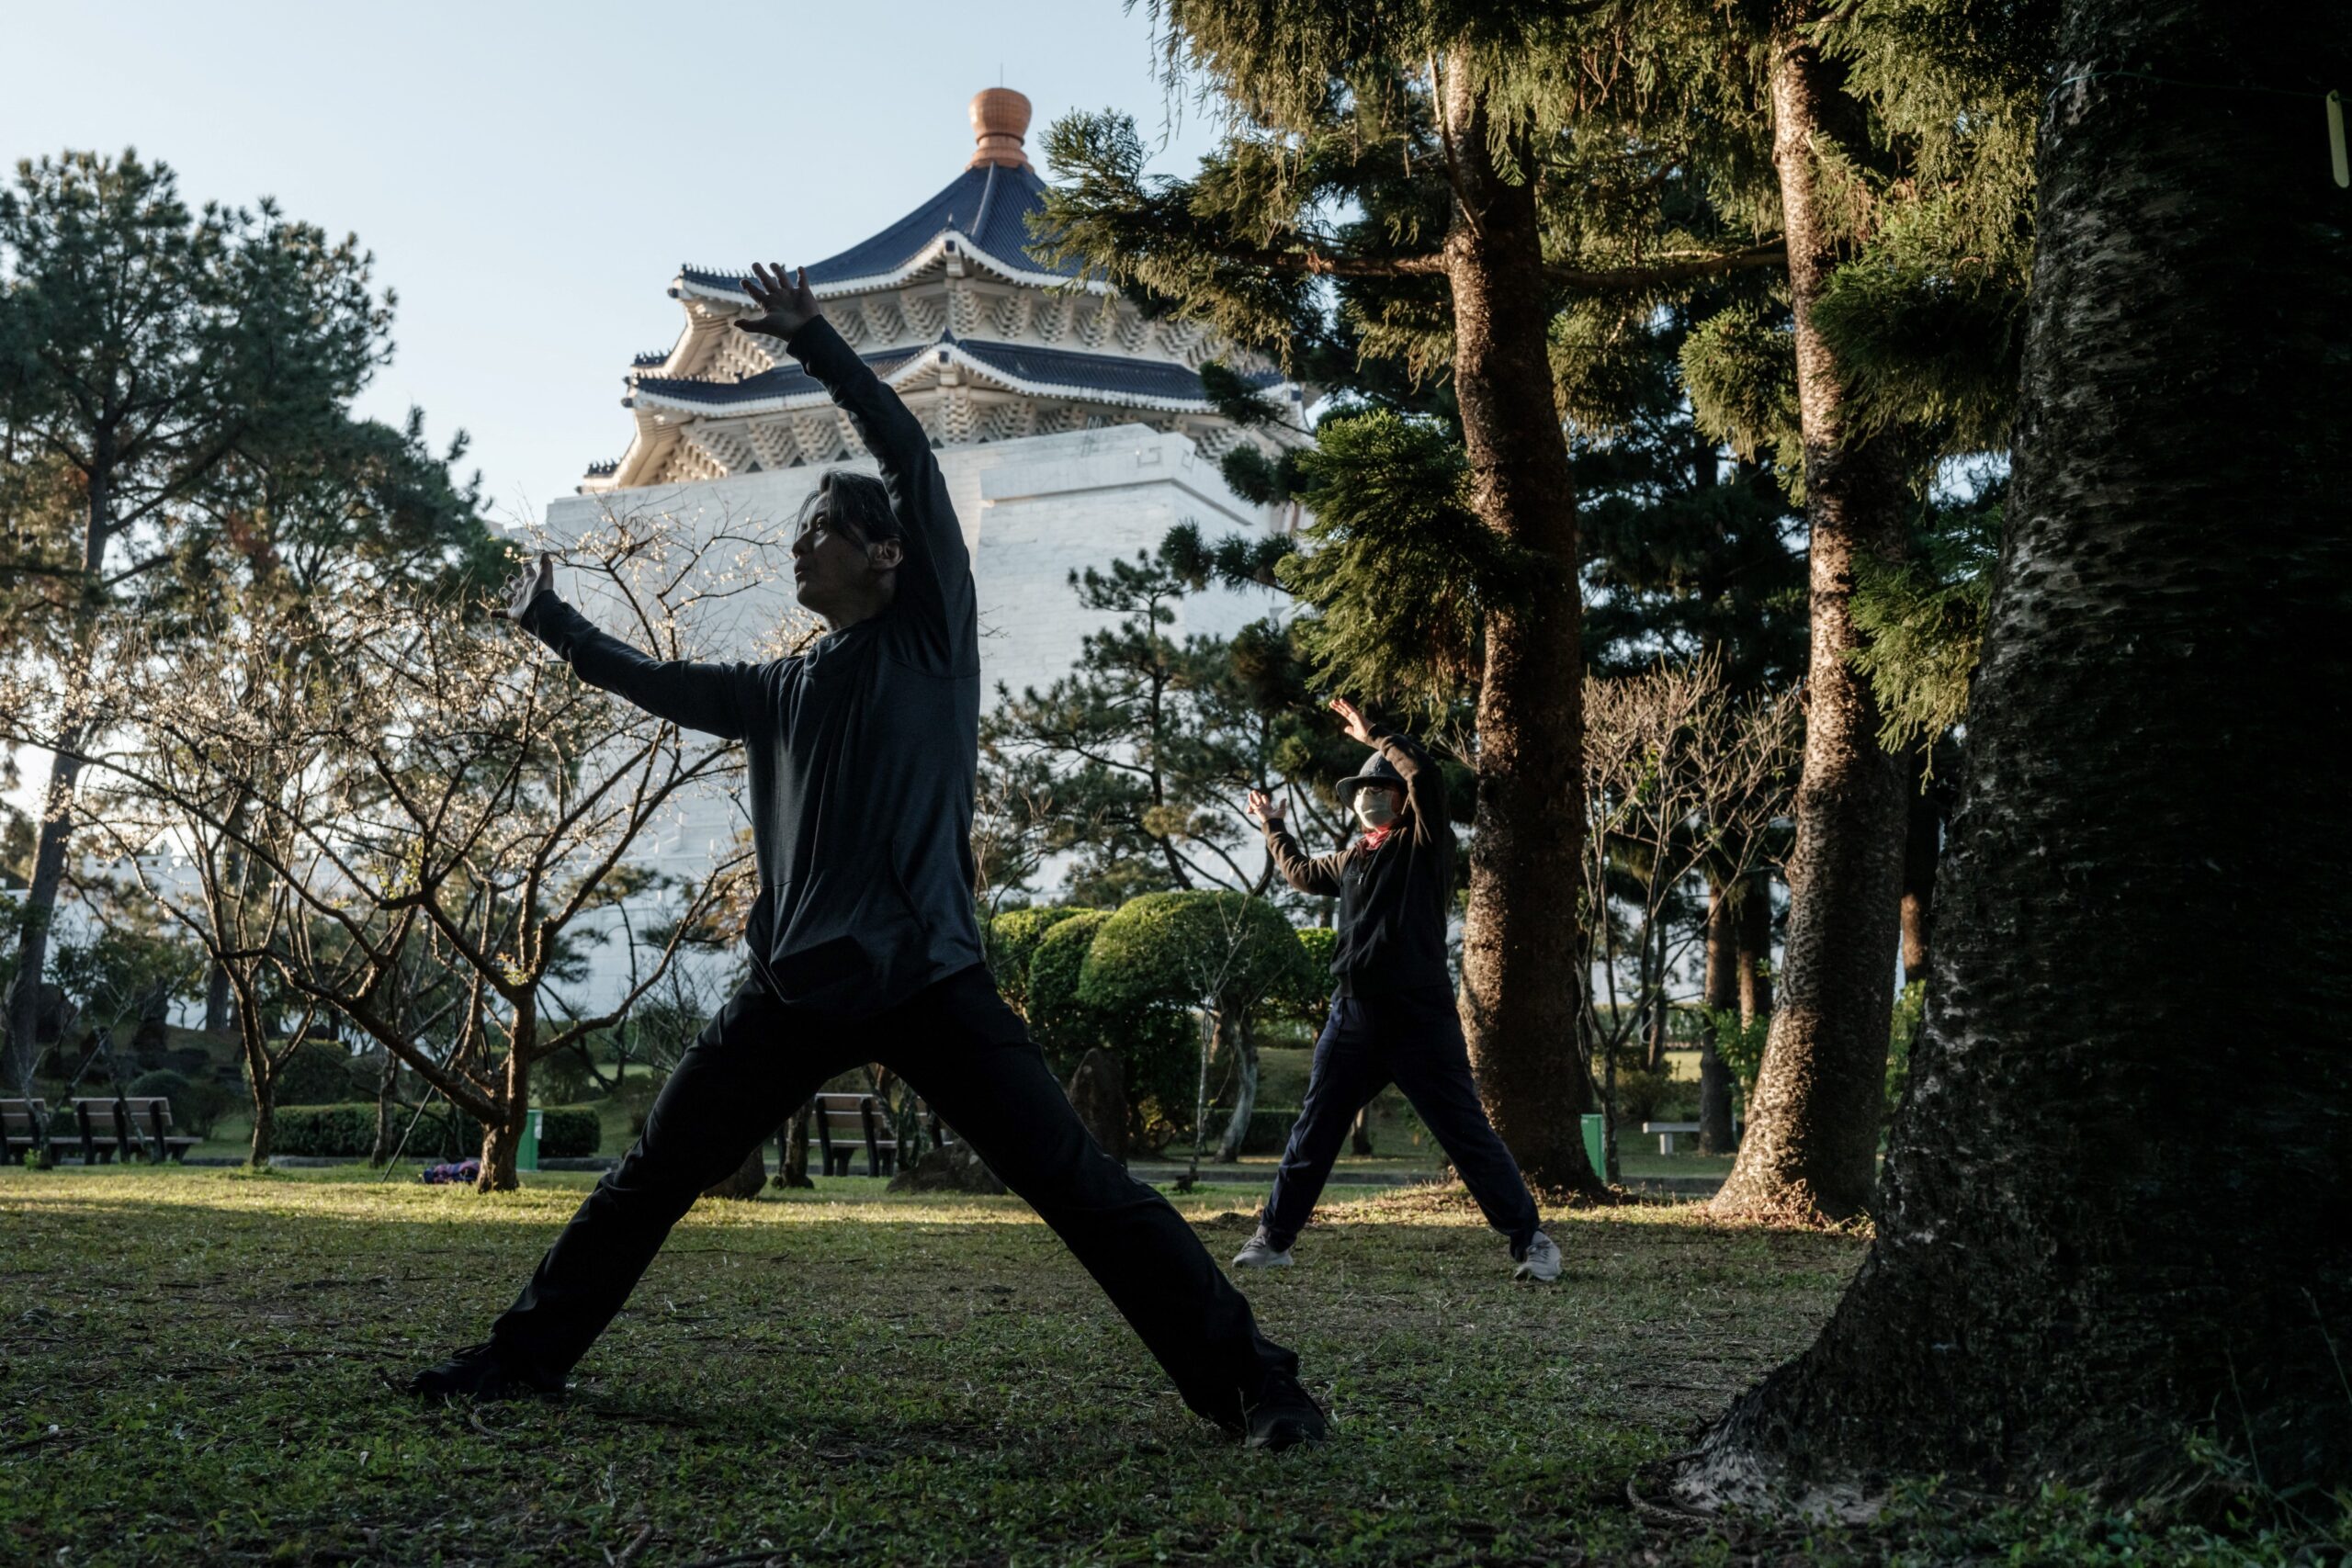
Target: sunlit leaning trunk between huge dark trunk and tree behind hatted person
{"x": 1815, "y": 1125}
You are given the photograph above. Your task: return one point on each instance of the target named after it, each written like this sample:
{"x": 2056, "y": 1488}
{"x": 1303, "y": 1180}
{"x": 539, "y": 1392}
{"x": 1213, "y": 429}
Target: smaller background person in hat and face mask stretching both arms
{"x": 1394, "y": 1017}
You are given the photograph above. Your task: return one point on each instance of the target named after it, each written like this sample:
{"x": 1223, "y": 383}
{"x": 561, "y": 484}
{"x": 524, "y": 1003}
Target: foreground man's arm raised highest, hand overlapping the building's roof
{"x": 937, "y": 575}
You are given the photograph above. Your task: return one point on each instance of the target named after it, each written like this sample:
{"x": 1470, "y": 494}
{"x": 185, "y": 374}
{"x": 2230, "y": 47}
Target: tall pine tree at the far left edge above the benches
{"x": 145, "y": 349}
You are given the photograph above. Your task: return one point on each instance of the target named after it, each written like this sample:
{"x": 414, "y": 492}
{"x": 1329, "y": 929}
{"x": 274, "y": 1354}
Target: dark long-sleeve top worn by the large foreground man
{"x": 862, "y": 751}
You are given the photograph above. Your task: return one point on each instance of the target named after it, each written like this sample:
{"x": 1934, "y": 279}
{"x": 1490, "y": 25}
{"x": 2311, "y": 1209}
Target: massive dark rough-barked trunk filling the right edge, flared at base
{"x": 2113, "y": 1209}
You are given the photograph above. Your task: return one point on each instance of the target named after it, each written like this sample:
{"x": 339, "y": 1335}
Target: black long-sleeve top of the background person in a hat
{"x": 1394, "y": 899}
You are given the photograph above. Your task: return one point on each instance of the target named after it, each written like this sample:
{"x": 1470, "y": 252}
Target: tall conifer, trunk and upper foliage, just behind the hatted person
{"x": 1441, "y": 133}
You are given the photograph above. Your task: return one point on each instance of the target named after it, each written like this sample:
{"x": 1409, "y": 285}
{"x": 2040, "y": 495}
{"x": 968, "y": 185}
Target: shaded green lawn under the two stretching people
{"x": 201, "y": 1367}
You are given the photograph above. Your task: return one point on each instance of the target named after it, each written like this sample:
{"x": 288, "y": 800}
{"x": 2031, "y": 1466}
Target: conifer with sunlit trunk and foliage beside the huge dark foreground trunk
{"x": 1902, "y": 149}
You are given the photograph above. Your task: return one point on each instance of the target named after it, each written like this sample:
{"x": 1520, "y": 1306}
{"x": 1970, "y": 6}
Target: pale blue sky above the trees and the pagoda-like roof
{"x": 533, "y": 175}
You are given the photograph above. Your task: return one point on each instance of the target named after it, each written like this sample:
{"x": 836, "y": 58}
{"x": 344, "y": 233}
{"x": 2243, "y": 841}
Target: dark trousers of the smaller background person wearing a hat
{"x": 1417, "y": 1043}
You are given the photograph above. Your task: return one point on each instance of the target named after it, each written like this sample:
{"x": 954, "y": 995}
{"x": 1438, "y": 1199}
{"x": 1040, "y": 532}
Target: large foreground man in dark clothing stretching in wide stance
{"x": 864, "y": 942}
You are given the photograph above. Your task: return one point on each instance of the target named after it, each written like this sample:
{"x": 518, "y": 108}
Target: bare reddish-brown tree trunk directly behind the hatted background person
{"x": 1525, "y": 862}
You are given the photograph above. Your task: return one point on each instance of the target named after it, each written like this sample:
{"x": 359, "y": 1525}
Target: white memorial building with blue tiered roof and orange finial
{"x": 1071, "y": 427}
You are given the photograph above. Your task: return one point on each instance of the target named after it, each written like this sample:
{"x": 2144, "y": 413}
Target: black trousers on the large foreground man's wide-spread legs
{"x": 973, "y": 1061}
